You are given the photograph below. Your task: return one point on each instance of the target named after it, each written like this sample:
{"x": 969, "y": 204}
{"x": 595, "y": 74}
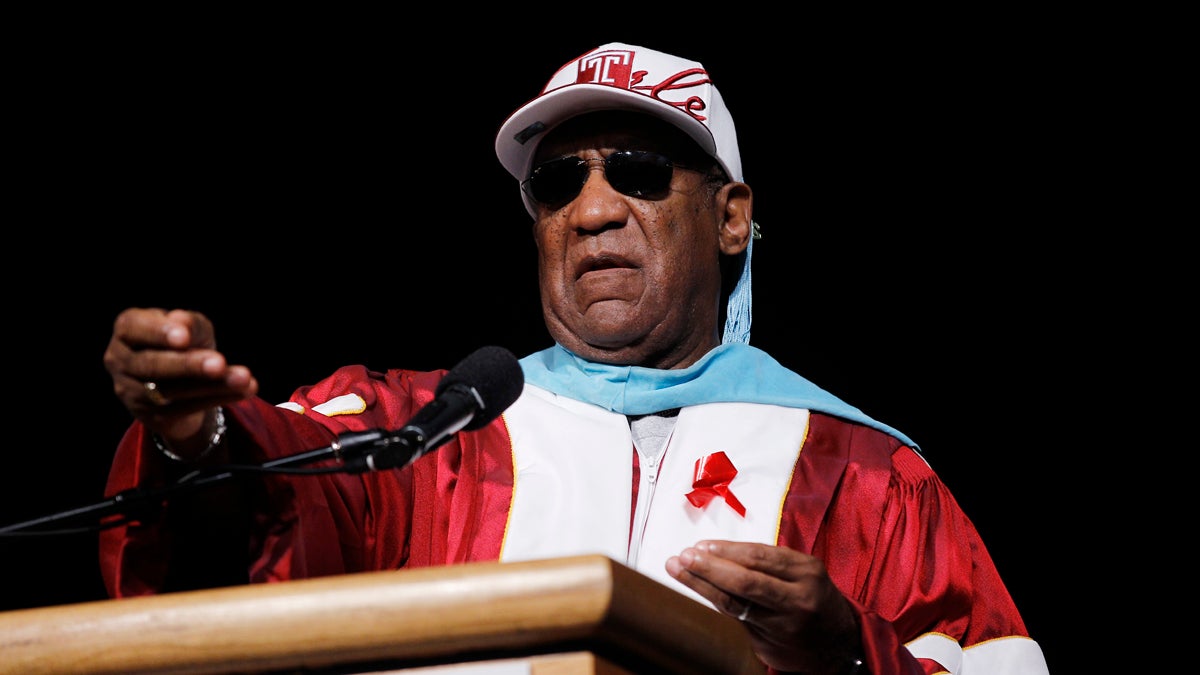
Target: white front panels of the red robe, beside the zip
{"x": 574, "y": 482}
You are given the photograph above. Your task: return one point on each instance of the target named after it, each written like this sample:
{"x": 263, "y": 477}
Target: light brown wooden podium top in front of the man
{"x": 572, "y": 616}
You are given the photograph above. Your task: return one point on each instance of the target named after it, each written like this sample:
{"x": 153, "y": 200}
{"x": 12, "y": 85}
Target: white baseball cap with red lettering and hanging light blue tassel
{"x": 627, "y": 77}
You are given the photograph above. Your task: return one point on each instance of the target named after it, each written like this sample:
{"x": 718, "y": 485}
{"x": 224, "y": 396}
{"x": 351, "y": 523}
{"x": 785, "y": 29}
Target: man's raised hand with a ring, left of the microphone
{"x": 169, "y": 374}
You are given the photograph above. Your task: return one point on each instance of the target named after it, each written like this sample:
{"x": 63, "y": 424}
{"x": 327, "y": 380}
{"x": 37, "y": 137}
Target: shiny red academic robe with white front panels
{"x": 891, "y": 535}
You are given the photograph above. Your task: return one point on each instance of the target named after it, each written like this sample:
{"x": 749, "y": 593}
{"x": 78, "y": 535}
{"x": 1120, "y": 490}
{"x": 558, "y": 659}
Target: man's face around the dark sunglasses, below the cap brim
{"x": 631, "y": 279}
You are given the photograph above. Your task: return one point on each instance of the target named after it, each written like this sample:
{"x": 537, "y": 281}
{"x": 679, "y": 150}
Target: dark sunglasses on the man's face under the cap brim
{"x": 637, "y": 174}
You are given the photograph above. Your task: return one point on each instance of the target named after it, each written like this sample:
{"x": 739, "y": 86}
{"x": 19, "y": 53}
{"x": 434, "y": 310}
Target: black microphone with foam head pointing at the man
{"x": 471, "y": 396}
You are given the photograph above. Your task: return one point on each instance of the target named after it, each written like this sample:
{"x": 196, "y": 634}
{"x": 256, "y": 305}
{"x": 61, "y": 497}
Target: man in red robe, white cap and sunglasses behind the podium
{"x": 661, "y": 441}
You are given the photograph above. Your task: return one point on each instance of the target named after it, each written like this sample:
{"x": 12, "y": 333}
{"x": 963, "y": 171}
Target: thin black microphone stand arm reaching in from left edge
{"x": 135, "y": 500}
